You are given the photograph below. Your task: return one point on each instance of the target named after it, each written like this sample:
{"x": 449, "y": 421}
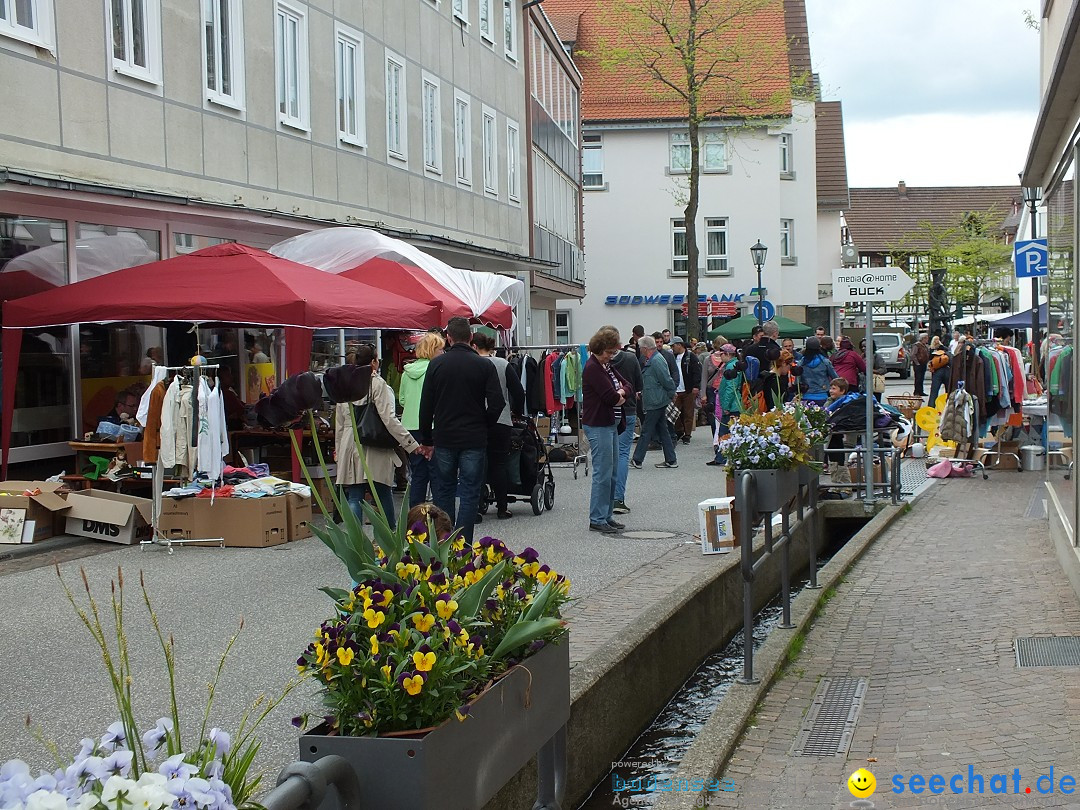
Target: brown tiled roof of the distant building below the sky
{"x": 883, "y": 220}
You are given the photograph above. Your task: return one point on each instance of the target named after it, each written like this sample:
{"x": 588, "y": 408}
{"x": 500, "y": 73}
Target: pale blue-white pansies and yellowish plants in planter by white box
{"x": 769, "y": 441}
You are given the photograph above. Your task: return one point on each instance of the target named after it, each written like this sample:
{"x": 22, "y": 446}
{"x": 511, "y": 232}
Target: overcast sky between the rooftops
{"x": 935, "y": 92}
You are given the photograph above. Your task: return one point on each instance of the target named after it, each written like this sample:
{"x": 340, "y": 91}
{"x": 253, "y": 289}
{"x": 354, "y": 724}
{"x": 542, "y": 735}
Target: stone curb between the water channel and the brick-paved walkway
{"x": 719, "y": 737}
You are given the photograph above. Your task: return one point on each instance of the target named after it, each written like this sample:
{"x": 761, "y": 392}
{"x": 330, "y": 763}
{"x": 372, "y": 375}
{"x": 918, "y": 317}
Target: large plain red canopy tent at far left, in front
{"x": 227, "y": 283}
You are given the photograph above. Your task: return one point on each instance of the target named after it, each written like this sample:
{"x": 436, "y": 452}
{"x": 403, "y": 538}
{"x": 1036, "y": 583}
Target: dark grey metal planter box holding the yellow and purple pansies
{"x": 461, "y": 766}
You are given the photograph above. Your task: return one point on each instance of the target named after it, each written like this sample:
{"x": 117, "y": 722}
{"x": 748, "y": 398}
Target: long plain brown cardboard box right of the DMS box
{"x": 249, "y": 523}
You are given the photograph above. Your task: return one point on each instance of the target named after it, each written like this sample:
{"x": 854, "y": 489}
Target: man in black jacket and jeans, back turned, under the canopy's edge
{"x": 463, "y": 397}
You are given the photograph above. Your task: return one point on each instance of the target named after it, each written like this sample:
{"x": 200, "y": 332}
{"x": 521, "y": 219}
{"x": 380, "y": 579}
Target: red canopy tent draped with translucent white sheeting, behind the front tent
{"x": 399, "y": 267}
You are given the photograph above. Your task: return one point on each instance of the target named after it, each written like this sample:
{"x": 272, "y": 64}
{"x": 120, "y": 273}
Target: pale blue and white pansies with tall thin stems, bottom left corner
{"x": 160, "y": 769}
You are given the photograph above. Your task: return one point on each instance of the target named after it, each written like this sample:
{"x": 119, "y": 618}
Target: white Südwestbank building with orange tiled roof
{"x": 760, "y": 182}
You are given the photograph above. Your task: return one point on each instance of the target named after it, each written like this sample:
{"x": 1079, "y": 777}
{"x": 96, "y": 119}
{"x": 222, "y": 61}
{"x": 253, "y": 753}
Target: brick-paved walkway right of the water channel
{"x": 928, "y": 617}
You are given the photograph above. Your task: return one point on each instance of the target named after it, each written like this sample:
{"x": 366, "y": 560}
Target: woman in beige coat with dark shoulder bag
{"x": 381, "y": 461}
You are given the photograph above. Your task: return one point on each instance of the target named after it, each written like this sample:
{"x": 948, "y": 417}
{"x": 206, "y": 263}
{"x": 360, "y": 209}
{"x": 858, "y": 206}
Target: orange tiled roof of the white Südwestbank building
{"x": 625, "y": 92}
